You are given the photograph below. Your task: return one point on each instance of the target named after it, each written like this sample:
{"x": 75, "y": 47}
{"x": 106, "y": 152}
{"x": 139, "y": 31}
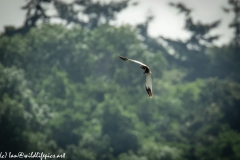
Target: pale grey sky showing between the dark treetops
{"x": 167, "y": 22}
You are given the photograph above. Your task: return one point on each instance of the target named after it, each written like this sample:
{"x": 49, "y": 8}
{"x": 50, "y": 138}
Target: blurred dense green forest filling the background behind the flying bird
{"x": 63, "y": 88}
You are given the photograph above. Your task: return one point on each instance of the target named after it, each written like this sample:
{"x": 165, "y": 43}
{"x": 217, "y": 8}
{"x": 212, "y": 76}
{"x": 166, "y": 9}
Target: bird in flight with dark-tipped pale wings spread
{"x": 148, "y": 85}
